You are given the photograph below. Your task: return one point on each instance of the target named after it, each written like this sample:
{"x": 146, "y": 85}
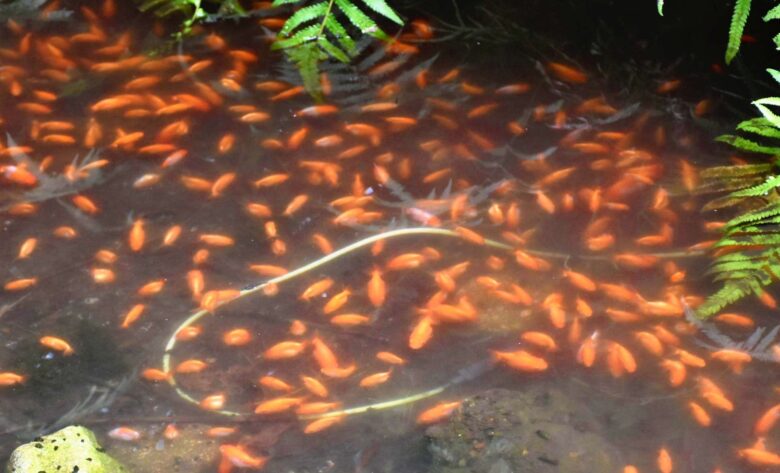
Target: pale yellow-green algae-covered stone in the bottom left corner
{"x": 73, "y": 449}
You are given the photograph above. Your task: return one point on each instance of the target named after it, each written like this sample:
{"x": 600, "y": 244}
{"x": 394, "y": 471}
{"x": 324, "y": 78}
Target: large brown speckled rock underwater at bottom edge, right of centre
{"x": 533, "y": 431}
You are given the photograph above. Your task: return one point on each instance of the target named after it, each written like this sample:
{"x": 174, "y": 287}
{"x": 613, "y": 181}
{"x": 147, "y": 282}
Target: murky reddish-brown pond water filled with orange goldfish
{"x": 466, "y": 135}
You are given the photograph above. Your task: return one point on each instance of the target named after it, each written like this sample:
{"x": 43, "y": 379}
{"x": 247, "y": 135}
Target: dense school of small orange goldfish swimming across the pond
{"x": 433, "y": 148}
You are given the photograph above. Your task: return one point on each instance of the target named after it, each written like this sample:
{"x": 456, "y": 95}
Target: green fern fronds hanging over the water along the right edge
{"x": 747, "y": 255}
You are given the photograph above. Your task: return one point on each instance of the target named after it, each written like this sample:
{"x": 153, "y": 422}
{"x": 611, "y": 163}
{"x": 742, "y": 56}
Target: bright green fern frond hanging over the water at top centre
{"x": 317, "y": 32}
